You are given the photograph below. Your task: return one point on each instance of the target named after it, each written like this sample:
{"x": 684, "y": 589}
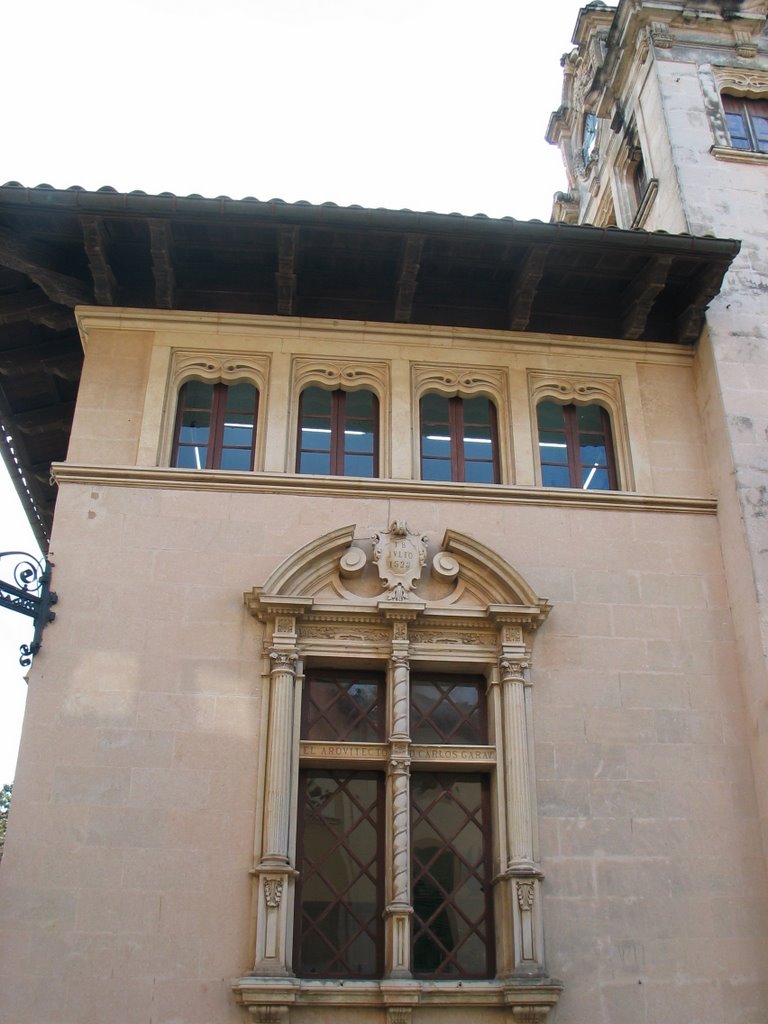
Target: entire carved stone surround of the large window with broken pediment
{"x": 492, "y": 622}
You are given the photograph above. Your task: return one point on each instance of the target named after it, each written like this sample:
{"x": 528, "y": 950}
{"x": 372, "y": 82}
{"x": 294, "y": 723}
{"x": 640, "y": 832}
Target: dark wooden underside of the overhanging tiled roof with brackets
{"x": 68, "y": 248}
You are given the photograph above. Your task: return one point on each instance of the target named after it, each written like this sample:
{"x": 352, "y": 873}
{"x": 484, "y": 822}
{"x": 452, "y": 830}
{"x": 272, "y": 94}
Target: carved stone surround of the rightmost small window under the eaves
{"x": 586, "y": 390}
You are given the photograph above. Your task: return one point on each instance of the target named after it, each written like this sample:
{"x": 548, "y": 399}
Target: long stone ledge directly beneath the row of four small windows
{"x": 340, "y": 487}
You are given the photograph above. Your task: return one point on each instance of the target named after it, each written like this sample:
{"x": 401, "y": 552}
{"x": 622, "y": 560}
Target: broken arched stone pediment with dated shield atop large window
{"x": 399, "y": 568}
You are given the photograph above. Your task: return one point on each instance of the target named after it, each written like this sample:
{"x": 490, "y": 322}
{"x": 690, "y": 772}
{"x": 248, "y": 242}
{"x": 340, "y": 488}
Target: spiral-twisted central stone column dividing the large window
{"x": 399, "y": 865}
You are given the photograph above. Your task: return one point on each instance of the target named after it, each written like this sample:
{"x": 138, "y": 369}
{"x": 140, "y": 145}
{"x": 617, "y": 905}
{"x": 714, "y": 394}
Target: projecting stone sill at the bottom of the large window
{"x": 537, "y": 995}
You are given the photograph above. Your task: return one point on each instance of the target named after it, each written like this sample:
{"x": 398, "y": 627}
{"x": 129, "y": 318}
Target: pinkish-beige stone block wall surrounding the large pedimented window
{"x": 126, "y": 879}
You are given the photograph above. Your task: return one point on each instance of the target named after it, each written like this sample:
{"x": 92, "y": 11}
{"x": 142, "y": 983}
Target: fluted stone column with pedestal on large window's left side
{"x": 275, "y": 873}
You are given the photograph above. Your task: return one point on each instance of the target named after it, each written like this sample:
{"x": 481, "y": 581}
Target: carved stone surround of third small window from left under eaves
{"x": 465, "y": 382}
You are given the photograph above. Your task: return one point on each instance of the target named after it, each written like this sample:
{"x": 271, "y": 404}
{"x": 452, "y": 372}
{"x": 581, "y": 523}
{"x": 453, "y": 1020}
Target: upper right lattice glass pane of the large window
{"x": 448, "y": 711}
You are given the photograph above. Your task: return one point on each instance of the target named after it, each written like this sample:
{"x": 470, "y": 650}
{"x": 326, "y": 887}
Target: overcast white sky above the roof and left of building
{"x": 429, "y": 105}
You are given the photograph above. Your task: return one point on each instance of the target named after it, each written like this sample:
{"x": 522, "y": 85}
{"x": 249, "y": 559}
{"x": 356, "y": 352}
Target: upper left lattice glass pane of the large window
{"x": 345, "y": 706}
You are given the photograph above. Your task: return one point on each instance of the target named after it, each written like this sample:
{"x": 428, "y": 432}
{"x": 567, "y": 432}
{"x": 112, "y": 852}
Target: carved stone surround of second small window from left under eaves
{"x": 345, "y": 375}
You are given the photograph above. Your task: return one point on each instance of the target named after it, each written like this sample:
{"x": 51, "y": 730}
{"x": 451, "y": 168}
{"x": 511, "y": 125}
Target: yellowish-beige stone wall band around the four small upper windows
{"x": 664, "y": 439}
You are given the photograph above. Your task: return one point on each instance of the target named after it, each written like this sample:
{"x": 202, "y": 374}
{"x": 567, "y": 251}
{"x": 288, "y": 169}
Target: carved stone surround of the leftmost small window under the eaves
{"x": 220, "y": 368}
